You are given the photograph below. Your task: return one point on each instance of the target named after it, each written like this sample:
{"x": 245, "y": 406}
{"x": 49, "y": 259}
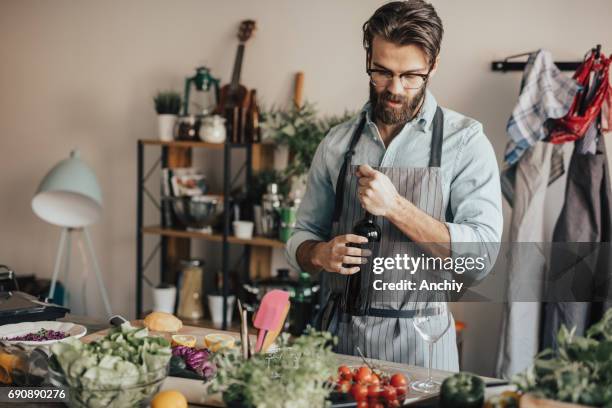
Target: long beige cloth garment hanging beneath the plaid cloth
{"x": 519, "y": 338}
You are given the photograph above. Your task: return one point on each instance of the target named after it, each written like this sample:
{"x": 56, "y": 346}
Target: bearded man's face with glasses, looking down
{"x": 393, "y": 104}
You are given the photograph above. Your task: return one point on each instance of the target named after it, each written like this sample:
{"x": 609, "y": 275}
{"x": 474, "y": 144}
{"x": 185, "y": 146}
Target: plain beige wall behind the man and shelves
{"x": 82, "y": 74}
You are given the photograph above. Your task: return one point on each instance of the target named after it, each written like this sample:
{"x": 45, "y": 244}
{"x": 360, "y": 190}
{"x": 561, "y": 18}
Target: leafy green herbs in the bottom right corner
{"x": 579, "y": 372}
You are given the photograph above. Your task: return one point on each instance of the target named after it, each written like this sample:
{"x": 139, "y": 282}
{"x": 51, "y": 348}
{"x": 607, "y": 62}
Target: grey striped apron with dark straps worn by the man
{"x": 380, "y": 322}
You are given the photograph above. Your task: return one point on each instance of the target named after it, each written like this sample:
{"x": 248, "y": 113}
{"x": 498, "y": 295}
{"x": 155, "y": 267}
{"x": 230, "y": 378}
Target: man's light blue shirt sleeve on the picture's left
{"x": 314, "y": 217}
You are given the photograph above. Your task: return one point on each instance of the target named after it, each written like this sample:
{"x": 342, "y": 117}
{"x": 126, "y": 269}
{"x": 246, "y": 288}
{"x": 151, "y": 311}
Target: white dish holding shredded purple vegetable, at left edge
{"x": 20, "y": 329}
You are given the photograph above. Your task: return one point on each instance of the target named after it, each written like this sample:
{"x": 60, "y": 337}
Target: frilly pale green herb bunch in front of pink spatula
{"x": 295, "y": 377}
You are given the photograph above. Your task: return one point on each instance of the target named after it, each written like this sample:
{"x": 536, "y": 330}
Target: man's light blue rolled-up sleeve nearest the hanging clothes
{"x": 475, "y": 200}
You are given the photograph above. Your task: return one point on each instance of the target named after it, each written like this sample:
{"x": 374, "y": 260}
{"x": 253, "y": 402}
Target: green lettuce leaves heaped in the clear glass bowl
{"x": 110, "y": 372}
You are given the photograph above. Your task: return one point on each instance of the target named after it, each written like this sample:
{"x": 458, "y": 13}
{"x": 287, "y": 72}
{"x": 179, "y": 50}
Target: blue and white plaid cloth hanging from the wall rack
{"x": 545, "y": 93}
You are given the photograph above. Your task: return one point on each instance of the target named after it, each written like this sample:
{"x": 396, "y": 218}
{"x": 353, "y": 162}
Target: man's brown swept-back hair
{"x": 404, "y": 23}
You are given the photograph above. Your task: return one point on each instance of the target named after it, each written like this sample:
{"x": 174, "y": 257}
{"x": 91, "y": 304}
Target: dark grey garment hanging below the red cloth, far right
{"x": 586, "y": 217}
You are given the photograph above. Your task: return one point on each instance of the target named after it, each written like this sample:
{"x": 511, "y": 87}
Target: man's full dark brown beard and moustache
{"x": 393, "y": 116}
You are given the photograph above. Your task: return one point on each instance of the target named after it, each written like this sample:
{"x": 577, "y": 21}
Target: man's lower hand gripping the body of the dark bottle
{"x": 333, "y": 254}
